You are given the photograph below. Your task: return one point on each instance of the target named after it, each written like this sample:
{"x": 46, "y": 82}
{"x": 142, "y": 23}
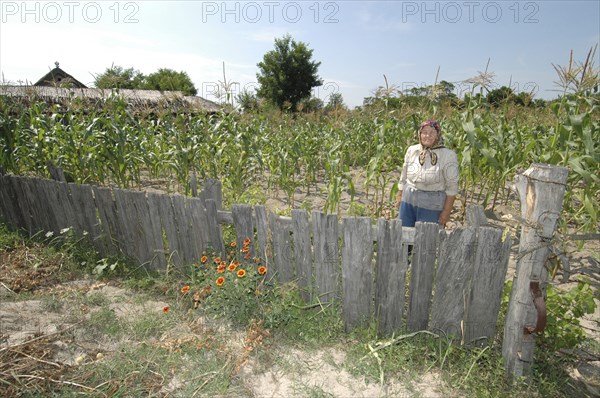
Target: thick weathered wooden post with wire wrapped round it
{"x": 541, "y": 190}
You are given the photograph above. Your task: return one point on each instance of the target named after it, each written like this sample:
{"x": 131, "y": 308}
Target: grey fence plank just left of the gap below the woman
{"x": 390, "y": 276}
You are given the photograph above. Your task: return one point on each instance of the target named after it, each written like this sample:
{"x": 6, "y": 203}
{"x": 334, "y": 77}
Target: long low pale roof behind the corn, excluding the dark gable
{"x": 134, "y": 97}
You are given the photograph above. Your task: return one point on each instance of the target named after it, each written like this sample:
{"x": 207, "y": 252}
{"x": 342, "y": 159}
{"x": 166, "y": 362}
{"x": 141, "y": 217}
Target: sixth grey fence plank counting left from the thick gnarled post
{"x": 327, "y": 258}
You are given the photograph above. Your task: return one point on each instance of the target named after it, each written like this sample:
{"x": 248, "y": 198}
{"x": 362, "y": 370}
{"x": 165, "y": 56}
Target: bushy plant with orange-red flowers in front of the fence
{"x": 230, "y": 287}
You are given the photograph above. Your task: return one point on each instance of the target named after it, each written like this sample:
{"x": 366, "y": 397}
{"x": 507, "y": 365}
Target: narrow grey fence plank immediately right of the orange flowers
{"x": 282, "y": 250}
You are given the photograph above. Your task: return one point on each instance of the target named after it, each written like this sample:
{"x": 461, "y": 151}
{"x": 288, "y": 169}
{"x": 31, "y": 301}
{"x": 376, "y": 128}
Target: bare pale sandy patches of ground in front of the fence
{"x": 295, "y": 373}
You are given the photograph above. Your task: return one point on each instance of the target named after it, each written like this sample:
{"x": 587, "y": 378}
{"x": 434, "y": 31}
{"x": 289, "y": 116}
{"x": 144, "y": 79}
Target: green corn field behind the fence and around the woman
{"x": 110, "y": 143}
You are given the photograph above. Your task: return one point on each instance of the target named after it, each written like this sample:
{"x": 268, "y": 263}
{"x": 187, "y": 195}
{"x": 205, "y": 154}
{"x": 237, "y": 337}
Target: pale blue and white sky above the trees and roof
{"x": 360, "y": 44}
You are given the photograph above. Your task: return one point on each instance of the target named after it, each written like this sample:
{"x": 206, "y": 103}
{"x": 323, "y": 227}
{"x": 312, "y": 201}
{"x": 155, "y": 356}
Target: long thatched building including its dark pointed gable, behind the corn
{"x": 57, "y": 86}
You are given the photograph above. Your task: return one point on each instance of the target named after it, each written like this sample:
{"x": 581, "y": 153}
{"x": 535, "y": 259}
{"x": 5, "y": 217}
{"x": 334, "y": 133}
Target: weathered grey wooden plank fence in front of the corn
{"x": 451, "y": 283}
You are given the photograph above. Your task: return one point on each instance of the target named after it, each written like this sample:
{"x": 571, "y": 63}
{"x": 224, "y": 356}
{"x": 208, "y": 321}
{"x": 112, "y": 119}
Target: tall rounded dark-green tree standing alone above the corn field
{"x": 287, "y": 74}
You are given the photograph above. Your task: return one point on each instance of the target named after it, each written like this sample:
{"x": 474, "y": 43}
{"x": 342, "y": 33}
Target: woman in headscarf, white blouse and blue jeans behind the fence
{"x": 429, "y": 181}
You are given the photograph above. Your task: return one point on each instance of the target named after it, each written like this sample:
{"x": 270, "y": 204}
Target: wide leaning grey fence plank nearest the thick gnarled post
{"x": 489, "y": 274}
